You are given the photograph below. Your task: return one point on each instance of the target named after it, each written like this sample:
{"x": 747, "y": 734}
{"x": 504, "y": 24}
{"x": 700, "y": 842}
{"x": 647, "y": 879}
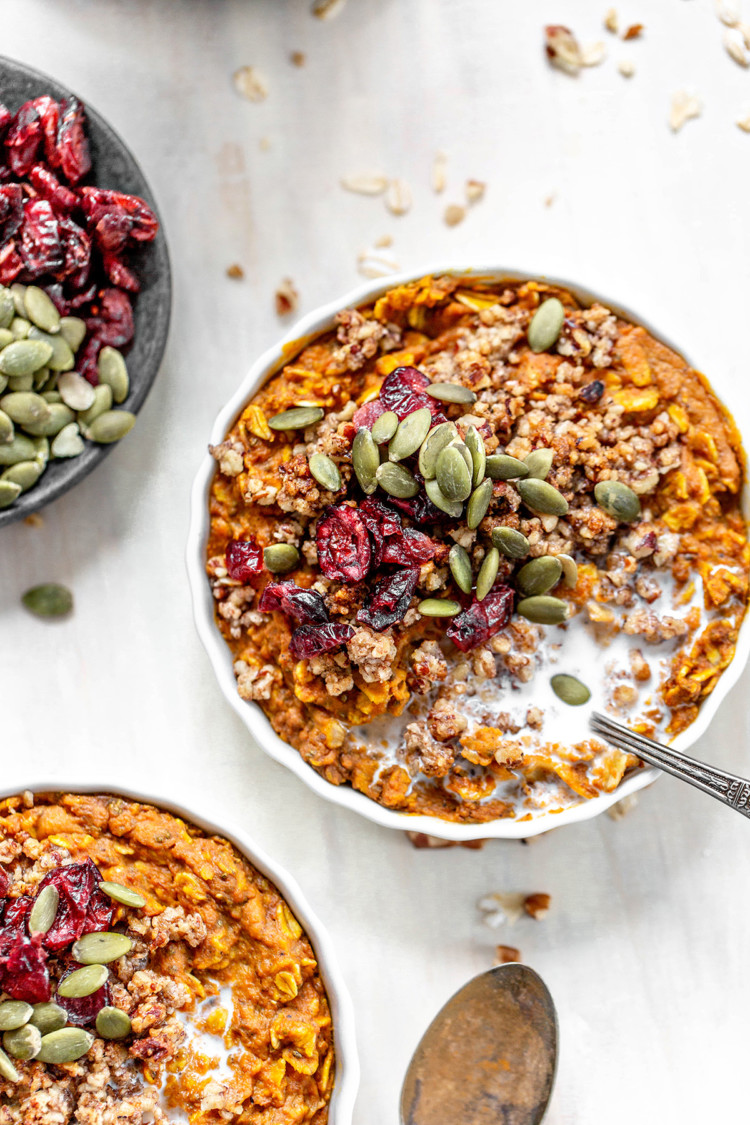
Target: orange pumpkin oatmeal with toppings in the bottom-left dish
{"x": 150, "y": 974}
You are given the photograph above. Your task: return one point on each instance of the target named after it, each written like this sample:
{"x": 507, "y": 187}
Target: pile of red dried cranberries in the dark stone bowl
{"x": 69, "y": 239}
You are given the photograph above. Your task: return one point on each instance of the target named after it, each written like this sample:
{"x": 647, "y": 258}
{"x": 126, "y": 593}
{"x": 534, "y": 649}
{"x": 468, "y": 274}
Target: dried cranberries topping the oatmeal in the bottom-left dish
{"x": 84, "y": 908}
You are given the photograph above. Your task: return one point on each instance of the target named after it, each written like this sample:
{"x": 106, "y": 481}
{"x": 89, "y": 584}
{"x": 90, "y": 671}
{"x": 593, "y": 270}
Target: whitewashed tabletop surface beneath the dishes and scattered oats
{"x": 646, "y": 947}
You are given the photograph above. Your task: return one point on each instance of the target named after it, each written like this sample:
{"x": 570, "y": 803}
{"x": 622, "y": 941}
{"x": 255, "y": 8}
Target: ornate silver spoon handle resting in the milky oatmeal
{"x": 726, "y": 787}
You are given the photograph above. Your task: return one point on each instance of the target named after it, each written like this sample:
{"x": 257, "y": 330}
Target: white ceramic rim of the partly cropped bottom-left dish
{"x": 347, "y": 1066}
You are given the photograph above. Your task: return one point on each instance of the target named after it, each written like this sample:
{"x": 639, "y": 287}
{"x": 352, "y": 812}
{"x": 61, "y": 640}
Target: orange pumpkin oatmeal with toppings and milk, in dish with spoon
{"x": 463, "y": 514}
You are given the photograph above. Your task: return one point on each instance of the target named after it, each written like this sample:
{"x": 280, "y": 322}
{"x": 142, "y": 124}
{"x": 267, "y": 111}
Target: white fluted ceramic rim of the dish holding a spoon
{"x": 314, "y": 323}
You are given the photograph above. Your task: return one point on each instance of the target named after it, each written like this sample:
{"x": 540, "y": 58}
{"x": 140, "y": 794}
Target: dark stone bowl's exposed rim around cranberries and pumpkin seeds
{"x": 114, "y": 167}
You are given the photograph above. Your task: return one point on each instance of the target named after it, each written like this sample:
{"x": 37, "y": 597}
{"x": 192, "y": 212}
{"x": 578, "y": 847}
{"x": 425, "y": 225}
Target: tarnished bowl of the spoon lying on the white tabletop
{"x": 490, "y": 1056}
